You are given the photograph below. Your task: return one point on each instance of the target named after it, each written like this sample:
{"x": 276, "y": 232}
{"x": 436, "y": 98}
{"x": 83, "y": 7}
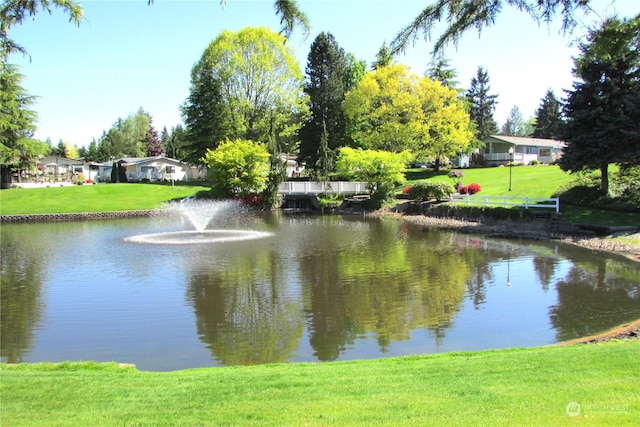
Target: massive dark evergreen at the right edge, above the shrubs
{"x": 603, "y": 109}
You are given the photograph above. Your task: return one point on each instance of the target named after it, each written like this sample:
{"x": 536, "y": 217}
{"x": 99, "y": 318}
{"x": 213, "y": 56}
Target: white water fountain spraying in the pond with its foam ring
{"x": 199, "y": 214}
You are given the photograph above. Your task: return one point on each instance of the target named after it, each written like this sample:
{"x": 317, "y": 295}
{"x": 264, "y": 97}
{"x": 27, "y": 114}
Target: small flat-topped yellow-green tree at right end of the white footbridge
{"x": 381, "y": 170}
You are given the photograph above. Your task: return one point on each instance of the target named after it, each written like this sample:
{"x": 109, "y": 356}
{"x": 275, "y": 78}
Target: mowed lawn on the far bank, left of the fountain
{"x": 92, "y": 198}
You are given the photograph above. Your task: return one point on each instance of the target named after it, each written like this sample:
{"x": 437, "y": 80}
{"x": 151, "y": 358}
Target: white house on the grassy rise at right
{"x": 525, "y": 150}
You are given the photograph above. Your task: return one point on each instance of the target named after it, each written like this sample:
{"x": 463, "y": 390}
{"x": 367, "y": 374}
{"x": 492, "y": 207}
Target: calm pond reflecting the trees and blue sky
{"x": 305, "y": 288}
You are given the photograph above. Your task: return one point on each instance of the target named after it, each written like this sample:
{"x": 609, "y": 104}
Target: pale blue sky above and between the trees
{"x": 126, "y": 54}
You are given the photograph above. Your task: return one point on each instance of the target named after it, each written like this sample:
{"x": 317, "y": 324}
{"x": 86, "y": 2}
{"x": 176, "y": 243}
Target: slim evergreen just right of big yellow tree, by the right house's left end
{"x": 482, "y": 105}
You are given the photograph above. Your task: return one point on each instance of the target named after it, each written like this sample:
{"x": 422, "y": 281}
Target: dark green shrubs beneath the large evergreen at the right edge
{"x": 623, "y": 195}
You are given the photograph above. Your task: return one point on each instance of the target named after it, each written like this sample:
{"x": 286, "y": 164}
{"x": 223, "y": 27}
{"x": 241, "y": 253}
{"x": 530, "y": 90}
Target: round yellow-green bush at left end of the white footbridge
{"x": 241, "y": 167}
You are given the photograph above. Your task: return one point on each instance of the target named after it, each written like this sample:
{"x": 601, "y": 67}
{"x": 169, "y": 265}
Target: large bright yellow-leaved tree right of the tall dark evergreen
{"x": 395, "y": 110}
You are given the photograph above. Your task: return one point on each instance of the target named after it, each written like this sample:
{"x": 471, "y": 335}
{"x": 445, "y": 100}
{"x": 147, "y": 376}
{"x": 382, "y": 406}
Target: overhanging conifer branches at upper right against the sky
{"x": 464, "y": 15}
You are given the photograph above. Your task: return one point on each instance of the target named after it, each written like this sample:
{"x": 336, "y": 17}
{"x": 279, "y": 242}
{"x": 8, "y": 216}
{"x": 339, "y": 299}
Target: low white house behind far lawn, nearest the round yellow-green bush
{"x": 158, "y": 168}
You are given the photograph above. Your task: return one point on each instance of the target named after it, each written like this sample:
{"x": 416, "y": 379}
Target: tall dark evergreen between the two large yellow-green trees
{"x": 329, "y": 75}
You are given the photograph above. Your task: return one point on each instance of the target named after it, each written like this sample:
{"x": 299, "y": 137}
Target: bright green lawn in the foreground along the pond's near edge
{"x": 514, "y": 387}
